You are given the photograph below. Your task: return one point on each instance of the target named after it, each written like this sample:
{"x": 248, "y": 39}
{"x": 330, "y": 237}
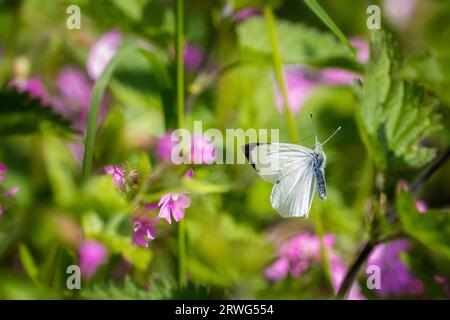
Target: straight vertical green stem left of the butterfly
{"x": 180, "y": 116}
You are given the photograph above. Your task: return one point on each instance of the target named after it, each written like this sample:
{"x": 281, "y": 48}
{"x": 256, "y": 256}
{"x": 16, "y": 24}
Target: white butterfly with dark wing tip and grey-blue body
{"x": 294, "y": 170}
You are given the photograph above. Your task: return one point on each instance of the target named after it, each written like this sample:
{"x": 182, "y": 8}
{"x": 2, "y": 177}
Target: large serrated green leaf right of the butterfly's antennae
{"x": 394, "y": 115}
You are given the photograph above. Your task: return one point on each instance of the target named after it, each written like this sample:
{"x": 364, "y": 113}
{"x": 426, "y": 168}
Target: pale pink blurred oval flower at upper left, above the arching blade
{"x": 102, "y": 52}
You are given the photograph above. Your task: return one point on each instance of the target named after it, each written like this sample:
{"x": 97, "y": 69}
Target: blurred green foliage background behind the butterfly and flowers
{"x": 395, "y": 121}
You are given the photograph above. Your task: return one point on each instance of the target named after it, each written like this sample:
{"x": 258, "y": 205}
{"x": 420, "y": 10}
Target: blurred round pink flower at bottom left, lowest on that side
{"x": 92, "y": 255}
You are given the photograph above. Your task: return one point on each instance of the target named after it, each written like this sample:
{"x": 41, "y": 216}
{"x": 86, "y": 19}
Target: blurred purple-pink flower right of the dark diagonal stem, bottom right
{"x": 396, "y": 278}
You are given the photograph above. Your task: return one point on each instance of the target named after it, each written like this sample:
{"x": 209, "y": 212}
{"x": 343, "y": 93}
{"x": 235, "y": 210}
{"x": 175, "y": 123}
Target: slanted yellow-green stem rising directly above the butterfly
{"x": 270, "y": 20}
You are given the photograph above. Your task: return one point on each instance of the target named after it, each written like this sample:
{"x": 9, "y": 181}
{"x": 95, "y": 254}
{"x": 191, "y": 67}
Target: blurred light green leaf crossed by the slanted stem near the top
{"x": 298, "y": 44}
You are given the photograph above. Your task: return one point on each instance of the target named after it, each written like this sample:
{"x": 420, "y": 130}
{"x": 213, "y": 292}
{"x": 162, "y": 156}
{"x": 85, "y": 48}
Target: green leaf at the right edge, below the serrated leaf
{"x": 432, "y": 228}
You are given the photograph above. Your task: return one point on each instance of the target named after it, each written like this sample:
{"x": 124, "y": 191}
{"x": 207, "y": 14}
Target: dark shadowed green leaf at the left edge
{"x": 22, "y": 114}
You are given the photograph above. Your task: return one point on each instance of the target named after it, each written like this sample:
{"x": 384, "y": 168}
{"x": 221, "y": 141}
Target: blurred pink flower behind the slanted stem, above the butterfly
{"x": 299, "y": 87}
